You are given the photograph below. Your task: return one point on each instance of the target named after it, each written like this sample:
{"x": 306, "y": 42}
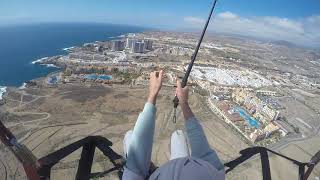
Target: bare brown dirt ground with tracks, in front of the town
{"x": 51, "y": 118}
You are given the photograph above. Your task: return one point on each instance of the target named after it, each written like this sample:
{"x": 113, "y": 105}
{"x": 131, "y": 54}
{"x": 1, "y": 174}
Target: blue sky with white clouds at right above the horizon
{"x": 297, "y": 21}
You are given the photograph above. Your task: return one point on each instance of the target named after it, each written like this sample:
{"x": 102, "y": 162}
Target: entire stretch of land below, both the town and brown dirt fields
{"x": 244, "y": 92}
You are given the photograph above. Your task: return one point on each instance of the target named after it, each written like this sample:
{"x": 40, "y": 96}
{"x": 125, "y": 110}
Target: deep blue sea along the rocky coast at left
{"x": 20, "y": 45}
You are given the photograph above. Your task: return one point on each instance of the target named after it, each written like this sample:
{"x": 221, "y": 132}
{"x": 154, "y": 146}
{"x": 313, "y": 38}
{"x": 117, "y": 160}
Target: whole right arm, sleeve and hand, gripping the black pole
{"x": 199, "y": 144}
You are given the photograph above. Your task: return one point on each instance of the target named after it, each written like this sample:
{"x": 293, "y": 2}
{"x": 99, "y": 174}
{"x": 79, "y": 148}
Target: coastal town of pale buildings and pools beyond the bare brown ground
{"x": 250, "y": 96}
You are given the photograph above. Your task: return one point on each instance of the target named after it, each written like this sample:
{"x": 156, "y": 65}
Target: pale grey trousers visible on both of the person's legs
{"x": 178, "y": 145}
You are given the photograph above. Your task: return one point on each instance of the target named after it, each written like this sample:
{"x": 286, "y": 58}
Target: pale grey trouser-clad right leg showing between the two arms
{"x": 179, "y": 147}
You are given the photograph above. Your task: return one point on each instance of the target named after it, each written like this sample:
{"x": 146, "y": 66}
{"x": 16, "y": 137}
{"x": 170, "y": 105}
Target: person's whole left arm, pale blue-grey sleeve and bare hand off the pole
{"x": 139, "y": 153}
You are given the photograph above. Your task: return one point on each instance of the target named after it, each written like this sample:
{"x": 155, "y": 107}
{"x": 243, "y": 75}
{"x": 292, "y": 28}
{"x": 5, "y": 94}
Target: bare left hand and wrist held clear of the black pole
{"x": 155, "y": 85}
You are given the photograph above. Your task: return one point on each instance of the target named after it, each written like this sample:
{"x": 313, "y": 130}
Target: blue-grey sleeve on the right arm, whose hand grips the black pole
{"x": 199, "y": 144}
